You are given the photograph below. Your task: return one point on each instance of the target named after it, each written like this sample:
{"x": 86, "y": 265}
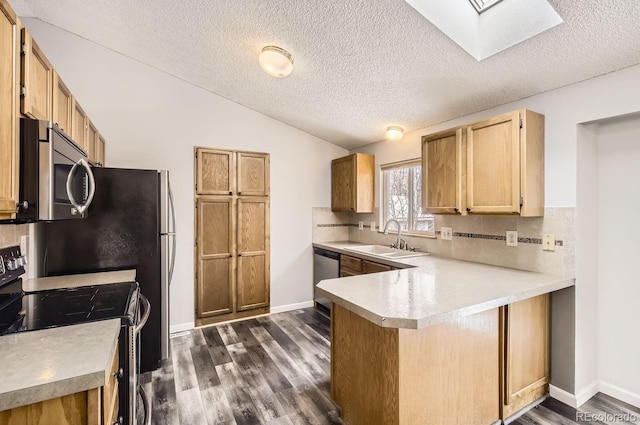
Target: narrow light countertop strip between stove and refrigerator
{"x": 76, "y": 280}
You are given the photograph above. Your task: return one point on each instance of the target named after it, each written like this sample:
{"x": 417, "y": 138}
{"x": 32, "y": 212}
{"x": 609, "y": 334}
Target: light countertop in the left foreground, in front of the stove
{"x": 50, "y": 363}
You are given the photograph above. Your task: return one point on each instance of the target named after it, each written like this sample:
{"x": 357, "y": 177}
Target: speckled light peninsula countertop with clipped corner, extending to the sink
{"x": 432, "y": 290}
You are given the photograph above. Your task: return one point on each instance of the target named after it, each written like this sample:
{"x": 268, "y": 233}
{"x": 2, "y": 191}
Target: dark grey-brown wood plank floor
{"x": 274, "y": 370}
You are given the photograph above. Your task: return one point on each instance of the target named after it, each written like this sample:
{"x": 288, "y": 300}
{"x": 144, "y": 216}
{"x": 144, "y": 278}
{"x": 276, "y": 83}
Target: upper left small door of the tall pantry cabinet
{"x": 215, "y": 172}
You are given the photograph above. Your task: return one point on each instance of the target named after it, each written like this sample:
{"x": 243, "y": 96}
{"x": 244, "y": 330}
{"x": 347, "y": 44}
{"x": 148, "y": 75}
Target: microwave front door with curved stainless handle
{"x": 71, "y": 185}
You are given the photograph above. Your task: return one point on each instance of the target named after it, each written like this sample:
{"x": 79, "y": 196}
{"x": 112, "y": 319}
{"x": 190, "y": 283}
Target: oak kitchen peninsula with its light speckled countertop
{"x": 431, "y": 344}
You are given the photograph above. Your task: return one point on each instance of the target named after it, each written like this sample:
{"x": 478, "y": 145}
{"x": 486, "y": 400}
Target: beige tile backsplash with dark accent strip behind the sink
{"x": 475, "y": 238}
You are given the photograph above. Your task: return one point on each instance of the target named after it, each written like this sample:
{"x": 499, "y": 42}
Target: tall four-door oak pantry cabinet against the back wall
{"x": 232, "y": 241}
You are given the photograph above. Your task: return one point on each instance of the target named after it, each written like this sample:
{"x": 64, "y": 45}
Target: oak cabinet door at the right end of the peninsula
{"x": 524, "y": 346}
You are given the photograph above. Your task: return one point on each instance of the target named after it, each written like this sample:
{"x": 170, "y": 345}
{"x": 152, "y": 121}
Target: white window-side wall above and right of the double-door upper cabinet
{"x": 565, "y": 109}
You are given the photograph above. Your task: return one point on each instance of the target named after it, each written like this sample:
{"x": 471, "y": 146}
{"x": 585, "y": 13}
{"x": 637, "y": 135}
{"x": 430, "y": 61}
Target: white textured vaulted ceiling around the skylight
{"x": 359, "y": 65}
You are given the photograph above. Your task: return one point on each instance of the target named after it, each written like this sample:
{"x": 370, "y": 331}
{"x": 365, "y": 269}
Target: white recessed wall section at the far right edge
{"x": 618, "y": 233}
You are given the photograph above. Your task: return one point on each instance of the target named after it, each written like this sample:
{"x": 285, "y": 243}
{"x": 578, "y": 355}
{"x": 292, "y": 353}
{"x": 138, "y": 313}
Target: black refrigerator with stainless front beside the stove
{"x": 130, "y": 225}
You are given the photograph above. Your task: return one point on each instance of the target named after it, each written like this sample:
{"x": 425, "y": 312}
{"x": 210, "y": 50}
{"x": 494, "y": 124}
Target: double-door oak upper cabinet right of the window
{"x": 495, "y": 166}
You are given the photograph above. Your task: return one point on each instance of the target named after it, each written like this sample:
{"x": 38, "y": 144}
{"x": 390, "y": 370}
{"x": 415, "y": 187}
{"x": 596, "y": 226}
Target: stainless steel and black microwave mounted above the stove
{"x": 56, "y": 182}
